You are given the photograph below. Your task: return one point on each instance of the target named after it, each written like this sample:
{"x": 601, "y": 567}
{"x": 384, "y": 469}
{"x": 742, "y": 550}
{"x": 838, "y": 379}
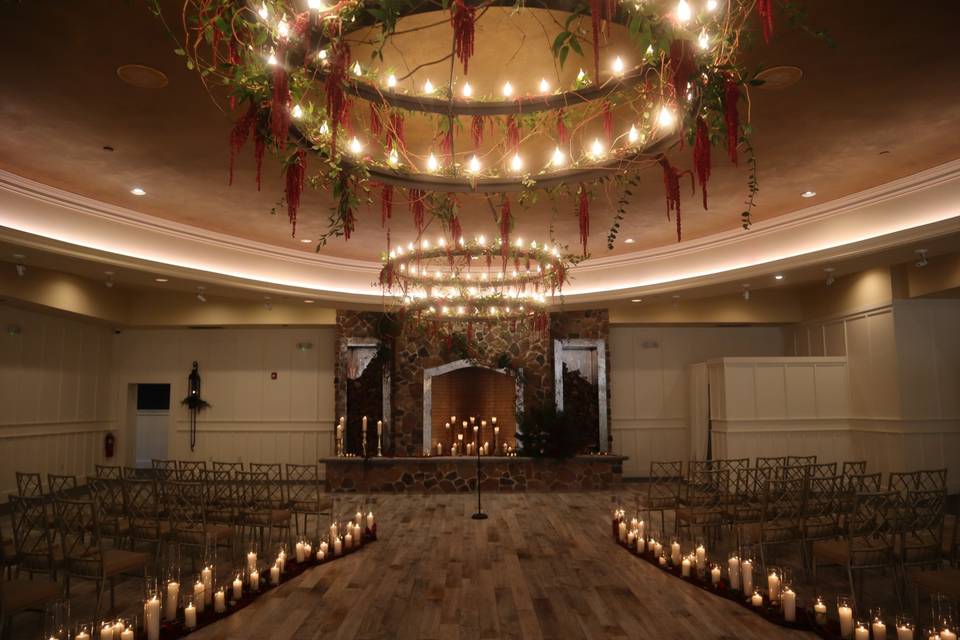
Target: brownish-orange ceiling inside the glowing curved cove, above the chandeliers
{"x": 870, "y": 110}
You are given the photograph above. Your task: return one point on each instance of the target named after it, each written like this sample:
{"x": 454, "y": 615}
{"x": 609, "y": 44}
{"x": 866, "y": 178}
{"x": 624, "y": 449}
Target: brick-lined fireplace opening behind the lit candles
{"x": 465, "y": 389}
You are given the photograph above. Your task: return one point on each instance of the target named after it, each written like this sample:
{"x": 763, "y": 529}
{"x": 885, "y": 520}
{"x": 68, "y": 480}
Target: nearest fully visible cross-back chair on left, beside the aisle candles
{"x": 84, "y": 555}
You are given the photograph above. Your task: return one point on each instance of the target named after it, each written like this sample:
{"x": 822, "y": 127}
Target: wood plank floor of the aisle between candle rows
{"x": 542, "y": 566}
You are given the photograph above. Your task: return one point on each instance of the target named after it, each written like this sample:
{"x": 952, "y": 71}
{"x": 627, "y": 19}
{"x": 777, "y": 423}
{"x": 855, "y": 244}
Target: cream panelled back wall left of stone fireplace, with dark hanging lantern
{"x": 253, "y": 417}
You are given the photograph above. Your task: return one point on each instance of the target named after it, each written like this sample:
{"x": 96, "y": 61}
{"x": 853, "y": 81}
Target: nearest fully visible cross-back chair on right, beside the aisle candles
{"x": 869, "y": 541}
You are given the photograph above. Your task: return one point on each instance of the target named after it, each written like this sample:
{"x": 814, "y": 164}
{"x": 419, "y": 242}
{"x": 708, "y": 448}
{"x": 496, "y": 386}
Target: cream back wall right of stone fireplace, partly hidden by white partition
{"x": 649, "y": 390}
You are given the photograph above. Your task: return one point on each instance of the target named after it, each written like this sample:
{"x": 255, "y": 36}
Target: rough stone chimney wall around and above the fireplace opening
{"x": 511, "y": 345}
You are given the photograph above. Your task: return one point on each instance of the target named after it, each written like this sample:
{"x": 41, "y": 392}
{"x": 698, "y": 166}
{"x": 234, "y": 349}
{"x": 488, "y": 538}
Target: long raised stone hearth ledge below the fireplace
{"x": 446, "y": 474}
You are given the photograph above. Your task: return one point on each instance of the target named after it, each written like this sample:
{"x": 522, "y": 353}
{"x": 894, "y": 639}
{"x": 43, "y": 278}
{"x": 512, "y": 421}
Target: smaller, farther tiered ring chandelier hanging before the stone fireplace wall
{"x": 476, "y": 280}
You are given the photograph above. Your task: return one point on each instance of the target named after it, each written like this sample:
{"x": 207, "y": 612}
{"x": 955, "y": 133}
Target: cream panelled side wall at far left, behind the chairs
{"x": 55, "y": 394}
